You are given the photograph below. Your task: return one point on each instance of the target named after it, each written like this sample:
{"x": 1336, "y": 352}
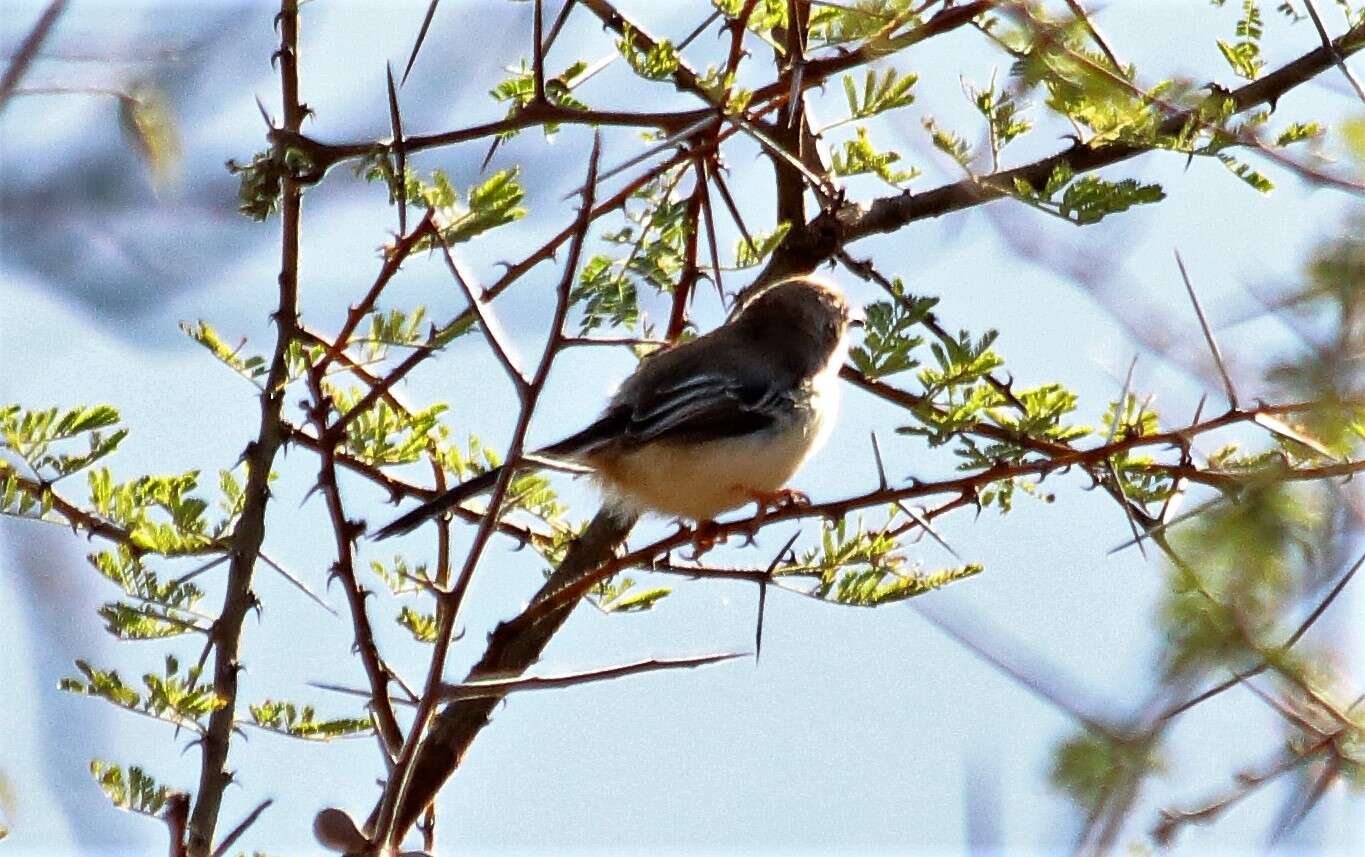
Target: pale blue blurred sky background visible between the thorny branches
{"x": 861, "y": 729}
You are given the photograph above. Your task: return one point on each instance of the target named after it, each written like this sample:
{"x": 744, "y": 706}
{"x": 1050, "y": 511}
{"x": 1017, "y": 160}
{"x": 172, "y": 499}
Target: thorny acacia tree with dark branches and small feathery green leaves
{"x": 1243, "y": 556}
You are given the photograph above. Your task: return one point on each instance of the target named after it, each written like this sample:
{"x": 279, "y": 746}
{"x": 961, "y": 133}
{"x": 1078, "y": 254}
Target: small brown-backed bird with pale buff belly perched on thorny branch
{"x": 713, "y": 424}
